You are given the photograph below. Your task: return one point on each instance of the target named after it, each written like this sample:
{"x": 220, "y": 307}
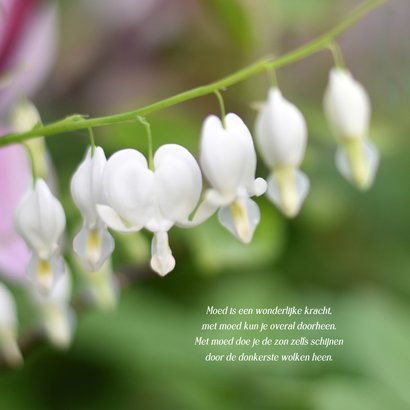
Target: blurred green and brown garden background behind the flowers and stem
{"x": 347, "y": 249}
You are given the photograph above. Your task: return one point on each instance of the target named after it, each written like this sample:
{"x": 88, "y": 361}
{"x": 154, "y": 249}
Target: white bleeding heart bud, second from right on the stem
{"x": 281, "y": 134}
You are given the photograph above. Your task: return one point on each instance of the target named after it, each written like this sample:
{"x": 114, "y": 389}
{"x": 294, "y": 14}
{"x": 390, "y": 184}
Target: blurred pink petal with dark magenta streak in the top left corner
{"x": 28, "y": 43}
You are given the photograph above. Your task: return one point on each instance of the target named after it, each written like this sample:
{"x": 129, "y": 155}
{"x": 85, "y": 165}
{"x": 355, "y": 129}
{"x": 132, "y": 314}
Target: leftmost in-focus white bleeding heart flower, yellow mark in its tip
{"x": 39, "y": 219}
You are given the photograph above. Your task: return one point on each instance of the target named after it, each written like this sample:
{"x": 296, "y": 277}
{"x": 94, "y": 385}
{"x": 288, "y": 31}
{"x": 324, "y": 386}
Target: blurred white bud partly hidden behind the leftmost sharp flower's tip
{"x": 56, "y": 315}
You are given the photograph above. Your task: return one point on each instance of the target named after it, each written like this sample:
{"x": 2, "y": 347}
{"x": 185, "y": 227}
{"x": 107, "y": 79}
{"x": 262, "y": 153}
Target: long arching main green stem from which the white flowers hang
{"x": 77, "y": 122}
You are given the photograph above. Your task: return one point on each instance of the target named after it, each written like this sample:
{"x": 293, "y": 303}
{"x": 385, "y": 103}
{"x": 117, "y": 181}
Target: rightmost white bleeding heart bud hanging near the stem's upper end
{"x": 347, "y": 109}
